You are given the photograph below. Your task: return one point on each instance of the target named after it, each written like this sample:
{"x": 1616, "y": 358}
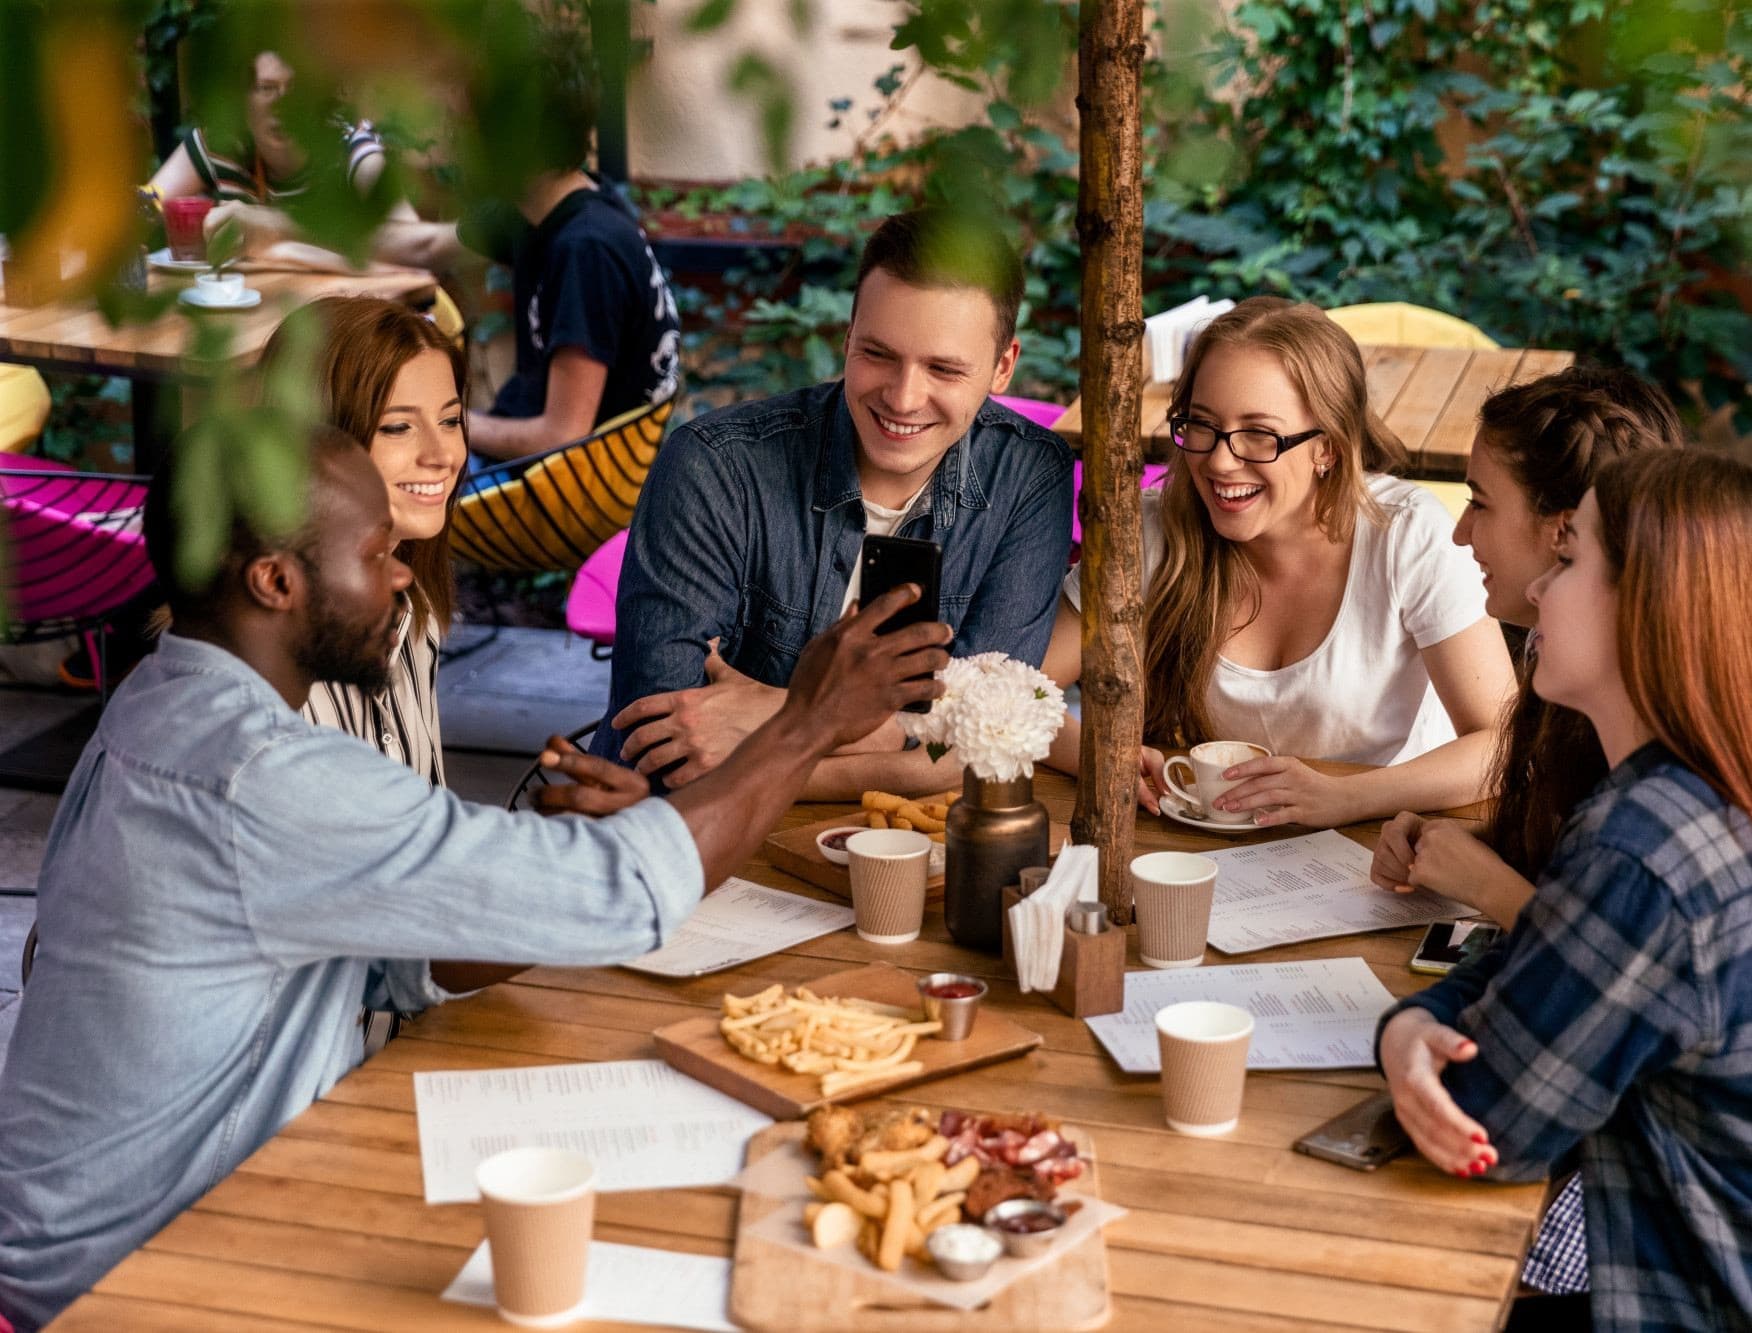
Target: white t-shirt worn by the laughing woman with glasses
{"x": 1364, "y": 695}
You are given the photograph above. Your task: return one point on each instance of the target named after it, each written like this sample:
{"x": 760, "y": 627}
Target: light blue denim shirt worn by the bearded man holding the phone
{"x": 223, "y": 885}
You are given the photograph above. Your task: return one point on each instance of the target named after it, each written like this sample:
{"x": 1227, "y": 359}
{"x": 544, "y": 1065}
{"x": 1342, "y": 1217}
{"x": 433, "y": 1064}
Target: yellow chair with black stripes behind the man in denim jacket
{"x": 555, "y": 511}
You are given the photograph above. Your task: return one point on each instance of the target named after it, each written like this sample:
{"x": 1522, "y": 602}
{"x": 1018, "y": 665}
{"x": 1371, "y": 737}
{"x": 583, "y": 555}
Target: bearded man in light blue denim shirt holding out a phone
{"x": 225, "y": 884}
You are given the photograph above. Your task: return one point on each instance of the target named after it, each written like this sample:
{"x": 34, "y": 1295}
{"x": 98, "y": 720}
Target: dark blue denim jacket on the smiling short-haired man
{"x": 752, "y": 521}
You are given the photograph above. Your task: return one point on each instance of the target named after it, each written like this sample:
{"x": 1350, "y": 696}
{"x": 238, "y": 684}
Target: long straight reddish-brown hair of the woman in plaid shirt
{"x": 1678, "y": 530}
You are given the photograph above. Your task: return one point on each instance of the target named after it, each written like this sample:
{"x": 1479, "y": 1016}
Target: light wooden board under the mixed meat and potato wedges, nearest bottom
{"x": 779, "y": 1288}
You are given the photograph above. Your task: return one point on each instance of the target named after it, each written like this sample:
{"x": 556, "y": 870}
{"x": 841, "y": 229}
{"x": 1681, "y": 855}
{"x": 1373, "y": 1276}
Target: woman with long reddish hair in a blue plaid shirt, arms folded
{"x": 1616, "y": 1020}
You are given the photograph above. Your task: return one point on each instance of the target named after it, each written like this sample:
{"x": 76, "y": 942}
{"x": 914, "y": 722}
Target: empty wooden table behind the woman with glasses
{"x": 1429, "y": 397}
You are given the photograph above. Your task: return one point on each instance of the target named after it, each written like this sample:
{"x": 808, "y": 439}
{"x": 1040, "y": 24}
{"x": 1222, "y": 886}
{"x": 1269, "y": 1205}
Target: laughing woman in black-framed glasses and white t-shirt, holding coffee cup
{"x": 1297, "y": 596}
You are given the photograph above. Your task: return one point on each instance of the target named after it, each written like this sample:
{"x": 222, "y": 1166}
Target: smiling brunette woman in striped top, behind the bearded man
{"x": 395, "y": 384}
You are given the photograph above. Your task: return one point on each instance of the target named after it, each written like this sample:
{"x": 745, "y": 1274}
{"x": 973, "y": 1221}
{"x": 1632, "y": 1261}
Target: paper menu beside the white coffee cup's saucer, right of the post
{"x": 1310, "y": 887}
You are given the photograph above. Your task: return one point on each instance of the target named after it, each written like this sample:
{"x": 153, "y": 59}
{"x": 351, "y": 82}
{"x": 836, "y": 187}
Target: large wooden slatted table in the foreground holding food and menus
{"x": 325, "y": 1227}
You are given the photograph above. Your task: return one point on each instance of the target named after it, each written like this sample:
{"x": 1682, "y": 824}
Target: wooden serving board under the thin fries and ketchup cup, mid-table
{"x": 696, "y": 1048}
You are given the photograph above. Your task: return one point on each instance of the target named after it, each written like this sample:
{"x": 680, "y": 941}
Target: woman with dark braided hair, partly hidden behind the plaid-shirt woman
{"x": 1537, "y": 451}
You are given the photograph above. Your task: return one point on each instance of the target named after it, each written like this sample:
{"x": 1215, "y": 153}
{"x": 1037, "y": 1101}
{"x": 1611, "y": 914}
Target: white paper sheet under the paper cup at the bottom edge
{"x": 628, "y": 1285}
